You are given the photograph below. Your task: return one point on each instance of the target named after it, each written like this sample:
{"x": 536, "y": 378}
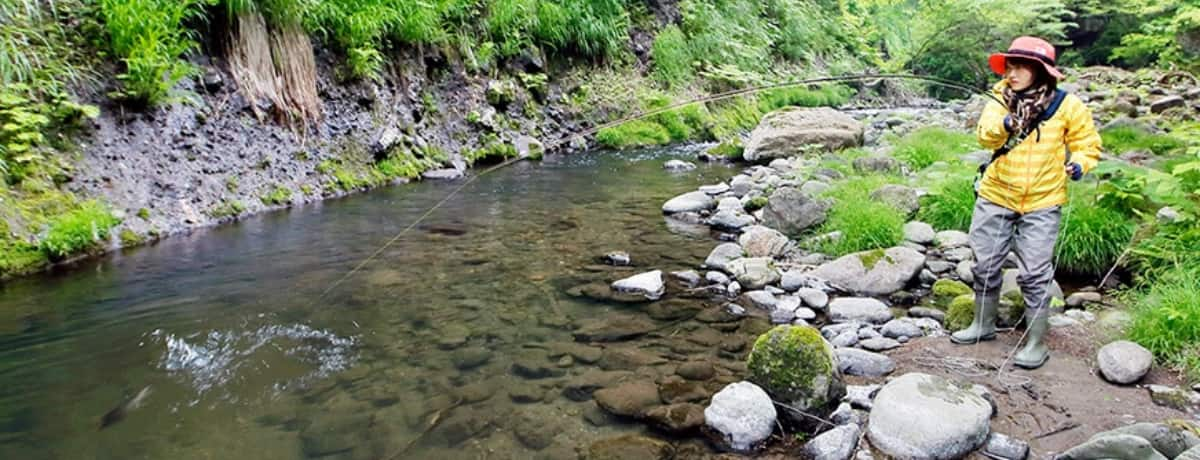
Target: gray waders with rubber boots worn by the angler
{"x": 995, "y": 231}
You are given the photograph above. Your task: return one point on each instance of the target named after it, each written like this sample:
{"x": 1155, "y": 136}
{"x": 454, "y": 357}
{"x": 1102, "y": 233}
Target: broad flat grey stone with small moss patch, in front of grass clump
{"x": 874, "y": 273}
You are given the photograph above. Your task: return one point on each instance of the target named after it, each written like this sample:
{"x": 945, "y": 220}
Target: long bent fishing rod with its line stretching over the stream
{"x": 715, "y": 98}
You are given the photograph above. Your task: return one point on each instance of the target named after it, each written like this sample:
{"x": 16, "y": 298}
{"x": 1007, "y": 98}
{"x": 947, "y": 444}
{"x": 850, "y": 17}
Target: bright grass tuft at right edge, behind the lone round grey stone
{"x": 1167, "y": 319}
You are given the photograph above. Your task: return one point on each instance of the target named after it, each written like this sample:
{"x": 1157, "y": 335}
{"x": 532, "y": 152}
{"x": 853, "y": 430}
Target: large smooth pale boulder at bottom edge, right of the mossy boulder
{"x": 925, "y": 417}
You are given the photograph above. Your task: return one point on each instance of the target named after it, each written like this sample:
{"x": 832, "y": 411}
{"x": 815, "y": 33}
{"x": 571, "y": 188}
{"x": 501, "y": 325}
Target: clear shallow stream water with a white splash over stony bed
{"x": 455, "y": 343}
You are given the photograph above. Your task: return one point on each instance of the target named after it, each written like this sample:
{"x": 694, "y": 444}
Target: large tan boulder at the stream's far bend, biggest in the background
{"x": 785, "y": 133}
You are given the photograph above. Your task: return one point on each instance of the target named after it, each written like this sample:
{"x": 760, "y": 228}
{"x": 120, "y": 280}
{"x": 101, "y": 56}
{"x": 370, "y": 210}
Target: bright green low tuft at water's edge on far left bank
{"x": 79, "y": 231}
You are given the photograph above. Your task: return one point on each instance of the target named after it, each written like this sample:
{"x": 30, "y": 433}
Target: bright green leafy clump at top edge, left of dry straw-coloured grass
{"x": 151, "y": 37}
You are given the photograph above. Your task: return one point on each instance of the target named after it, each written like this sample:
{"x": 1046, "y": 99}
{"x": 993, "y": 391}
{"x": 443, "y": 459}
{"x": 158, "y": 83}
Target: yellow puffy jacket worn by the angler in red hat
{"x": 1033, "y": 176}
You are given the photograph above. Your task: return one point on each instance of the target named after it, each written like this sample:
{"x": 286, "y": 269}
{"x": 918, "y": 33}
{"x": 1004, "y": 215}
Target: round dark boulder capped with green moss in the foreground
{"x": 797, "y": 367}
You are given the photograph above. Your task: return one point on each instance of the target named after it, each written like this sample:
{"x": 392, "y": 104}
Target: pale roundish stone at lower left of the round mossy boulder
{"x": 742, "y": 416}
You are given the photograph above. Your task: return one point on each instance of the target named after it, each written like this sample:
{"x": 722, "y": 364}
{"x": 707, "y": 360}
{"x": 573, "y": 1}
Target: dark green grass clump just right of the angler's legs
{"x": 1091, "y": 237}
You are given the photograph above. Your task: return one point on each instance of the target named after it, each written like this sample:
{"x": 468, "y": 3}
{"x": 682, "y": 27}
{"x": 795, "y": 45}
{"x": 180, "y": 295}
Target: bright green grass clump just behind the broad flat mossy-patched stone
{"x": 865, "y": 224}
